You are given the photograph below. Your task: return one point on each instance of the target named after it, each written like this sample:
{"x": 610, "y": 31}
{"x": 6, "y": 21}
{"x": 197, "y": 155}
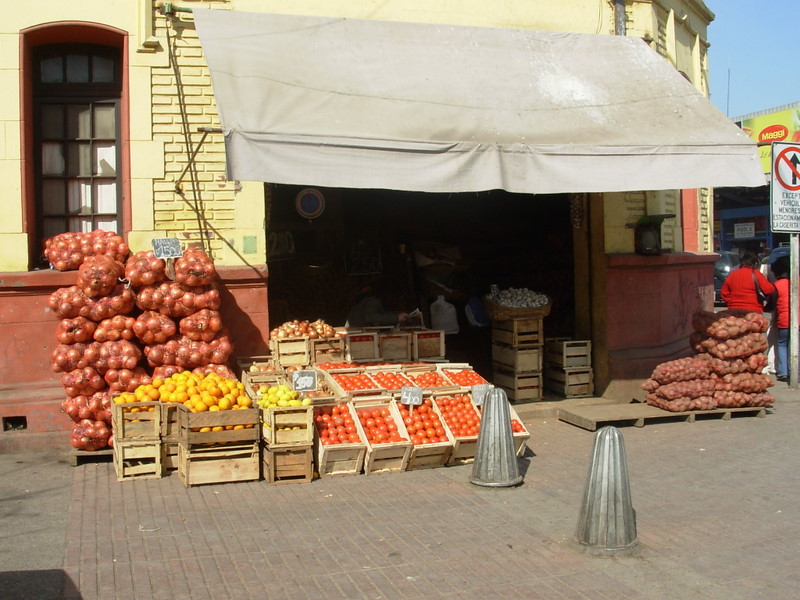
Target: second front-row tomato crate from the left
{"x": 379, "y": 422}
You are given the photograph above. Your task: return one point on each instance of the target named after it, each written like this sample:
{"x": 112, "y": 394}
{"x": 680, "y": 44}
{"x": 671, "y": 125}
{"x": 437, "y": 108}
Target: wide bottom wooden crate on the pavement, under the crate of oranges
{"x": 219, "y": 464}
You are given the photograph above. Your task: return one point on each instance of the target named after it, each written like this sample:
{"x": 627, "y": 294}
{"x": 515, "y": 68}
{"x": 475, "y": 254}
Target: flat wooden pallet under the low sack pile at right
{"x": 638, "y": 414}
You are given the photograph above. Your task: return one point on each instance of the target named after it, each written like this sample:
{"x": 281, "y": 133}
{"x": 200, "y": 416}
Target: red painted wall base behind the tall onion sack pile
{"x": 31, "y": 393}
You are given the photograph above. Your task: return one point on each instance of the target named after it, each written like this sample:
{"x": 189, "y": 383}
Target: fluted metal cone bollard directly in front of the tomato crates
{"x": 495, "y": 457}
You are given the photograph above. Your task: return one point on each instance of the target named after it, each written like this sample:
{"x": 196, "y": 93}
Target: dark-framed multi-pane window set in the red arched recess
{"x": 76, "y": 139}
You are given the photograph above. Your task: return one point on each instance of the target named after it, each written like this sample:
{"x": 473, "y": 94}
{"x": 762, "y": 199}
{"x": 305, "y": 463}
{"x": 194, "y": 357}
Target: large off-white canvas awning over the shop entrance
{"x": 376, "y": 104}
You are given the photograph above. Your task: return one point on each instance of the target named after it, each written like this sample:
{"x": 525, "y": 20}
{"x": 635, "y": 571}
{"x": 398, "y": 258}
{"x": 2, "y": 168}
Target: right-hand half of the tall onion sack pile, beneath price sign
{"x": 180, "y": 325}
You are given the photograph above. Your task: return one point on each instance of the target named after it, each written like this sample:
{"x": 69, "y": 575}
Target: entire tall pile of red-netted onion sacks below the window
{"x": 106, "y": 331}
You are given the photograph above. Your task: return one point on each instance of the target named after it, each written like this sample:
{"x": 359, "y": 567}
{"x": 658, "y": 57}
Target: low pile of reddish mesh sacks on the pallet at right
{"x": 725, "y": 372}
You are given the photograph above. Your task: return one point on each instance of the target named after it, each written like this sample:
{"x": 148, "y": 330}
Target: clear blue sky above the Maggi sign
{"x": 754, "y": 58}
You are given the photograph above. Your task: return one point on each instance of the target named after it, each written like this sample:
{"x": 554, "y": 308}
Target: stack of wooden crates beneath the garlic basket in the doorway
{"x": 517, "y": 356}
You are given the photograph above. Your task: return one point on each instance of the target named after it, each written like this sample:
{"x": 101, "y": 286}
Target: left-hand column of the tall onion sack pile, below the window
{"x": 96, "y": 352}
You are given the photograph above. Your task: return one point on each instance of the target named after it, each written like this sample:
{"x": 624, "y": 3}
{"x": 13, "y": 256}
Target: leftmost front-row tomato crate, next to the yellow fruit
{"x": 339, "y": 448}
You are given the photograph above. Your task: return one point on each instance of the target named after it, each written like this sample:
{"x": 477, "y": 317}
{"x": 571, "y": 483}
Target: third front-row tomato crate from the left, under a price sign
{"x": 431, "y": 442}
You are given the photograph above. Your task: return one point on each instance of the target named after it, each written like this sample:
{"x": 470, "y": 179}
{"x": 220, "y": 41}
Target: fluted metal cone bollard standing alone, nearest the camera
{"x": 607, "y": 521}
